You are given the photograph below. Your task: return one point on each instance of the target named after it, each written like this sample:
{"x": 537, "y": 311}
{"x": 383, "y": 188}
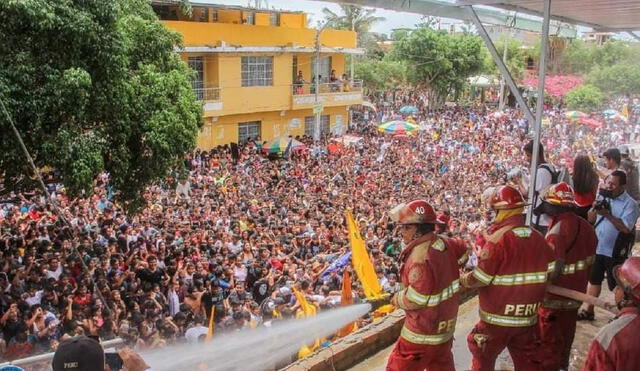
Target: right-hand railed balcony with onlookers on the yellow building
{"x": 329, "y": 94}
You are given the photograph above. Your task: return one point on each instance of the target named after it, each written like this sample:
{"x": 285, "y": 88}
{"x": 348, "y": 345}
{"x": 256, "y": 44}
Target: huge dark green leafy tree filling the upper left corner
{"x": 94, "y": 86}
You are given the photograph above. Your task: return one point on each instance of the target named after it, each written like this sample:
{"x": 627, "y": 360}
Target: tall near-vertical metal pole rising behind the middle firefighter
{"x": 539, "y": 105}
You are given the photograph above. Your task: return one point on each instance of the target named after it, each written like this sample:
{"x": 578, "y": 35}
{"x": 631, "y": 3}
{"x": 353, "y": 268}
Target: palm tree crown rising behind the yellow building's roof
{"x": 353, "y": 17}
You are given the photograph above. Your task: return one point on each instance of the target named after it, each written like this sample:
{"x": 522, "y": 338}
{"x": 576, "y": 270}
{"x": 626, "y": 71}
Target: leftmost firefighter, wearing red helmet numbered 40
{"x": 430, "y": 281}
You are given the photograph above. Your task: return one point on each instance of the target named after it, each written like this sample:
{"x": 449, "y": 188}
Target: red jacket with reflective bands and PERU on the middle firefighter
{"x": 513, "y": 266}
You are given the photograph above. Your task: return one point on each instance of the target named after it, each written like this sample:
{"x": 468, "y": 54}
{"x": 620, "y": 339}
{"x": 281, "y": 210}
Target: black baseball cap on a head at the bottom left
{"x": 78, "y": 354}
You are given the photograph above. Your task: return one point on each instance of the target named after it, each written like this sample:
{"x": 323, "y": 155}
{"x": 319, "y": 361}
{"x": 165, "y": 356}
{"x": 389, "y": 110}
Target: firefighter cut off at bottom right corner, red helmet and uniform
{"x": 616, "y": 346}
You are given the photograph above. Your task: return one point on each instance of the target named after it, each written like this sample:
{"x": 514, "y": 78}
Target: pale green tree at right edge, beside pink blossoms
{"x": 622, "y": 79}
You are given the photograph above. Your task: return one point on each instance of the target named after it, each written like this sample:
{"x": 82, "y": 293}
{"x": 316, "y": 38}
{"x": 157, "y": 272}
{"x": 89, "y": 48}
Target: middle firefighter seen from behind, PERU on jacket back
{"x": 513, "y": 266}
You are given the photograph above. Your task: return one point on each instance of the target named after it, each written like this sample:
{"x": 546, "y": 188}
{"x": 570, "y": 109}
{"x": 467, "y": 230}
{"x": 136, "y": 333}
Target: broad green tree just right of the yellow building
{"x": 439, "y": 62}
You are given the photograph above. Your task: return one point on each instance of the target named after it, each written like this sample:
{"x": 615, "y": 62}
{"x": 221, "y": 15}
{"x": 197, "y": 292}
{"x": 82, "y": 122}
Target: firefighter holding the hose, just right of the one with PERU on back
{"x": 573, "y": 241}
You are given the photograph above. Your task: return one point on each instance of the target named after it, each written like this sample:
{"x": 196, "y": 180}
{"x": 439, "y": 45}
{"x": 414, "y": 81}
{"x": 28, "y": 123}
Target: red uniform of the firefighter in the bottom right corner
{"x": 616, "y": 347}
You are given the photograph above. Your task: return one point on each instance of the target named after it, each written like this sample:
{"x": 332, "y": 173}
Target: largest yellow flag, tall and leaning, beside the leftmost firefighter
{"x": 361, "y": 262}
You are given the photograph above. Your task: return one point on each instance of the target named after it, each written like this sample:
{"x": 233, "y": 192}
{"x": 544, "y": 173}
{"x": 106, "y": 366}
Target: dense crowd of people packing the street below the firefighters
{"x": 235, "y": 236}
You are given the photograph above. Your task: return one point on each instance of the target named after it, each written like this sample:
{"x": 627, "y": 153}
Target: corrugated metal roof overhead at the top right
{"x": 604, "y": 15}
